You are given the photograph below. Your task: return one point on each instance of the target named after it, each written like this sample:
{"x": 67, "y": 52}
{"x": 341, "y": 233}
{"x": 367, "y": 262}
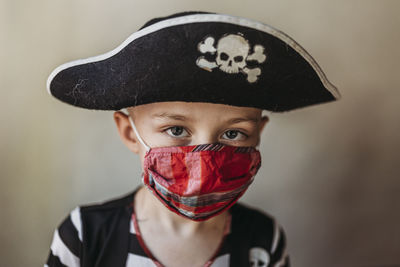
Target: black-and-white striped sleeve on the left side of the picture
{"x": 65, "y": 249}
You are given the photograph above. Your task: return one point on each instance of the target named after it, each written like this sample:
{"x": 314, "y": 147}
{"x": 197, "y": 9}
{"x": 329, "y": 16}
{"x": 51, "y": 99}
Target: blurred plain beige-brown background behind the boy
{"x": 330, "y": 173}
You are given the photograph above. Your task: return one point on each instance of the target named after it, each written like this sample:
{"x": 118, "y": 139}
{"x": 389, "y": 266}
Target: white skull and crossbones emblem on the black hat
{"x": 232, "y": 54}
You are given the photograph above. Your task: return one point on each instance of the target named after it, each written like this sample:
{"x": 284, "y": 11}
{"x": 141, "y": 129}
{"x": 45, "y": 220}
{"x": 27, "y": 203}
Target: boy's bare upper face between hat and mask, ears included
{"x": 181, "y": 124}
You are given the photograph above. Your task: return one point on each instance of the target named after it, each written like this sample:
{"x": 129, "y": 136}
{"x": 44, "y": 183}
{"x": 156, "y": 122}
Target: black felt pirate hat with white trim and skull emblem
{"x": 197, "y": 57}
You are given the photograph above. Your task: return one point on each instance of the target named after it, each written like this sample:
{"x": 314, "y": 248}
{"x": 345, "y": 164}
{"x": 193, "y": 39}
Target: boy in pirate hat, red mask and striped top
{"x": 194, "y": 85}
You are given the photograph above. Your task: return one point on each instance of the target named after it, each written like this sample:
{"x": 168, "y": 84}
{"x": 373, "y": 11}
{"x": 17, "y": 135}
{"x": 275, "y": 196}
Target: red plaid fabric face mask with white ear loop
{"x": 200, "y": 181}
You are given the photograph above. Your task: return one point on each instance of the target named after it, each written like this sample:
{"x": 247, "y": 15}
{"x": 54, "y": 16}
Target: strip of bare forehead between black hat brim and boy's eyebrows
{"x": 194, "y": 109}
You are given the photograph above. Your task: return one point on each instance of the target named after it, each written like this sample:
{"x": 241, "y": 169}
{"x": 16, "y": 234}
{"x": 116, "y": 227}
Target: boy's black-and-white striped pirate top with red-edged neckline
{"x": 107, "y": 235}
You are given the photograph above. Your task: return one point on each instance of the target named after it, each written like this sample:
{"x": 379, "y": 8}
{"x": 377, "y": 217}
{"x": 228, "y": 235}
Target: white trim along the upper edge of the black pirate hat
{"x": 204, "y": 18}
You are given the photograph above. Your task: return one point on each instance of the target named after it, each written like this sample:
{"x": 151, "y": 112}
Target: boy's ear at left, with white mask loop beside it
{"x": 126, "y": 132}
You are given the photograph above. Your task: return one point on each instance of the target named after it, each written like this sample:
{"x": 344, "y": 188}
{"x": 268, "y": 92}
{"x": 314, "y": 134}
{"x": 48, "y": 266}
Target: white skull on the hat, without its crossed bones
{"x": 232, "y": 51}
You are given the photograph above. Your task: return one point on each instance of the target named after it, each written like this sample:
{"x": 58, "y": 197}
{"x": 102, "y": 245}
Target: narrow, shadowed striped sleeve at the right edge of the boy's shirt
{"x": 279, "y": 255}
